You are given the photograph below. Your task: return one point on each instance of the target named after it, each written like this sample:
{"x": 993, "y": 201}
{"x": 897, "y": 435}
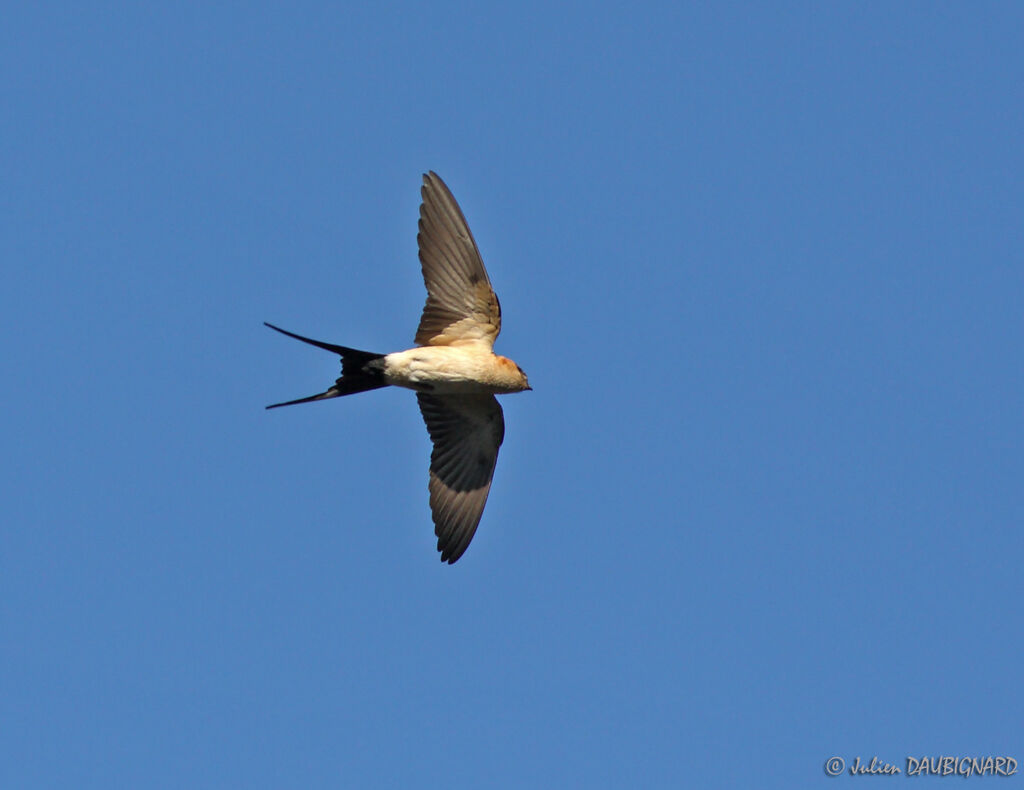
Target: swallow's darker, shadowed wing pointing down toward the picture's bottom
{"x": 466, "y": 432}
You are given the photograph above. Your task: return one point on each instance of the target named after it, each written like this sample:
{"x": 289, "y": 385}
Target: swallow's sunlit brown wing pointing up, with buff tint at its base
{"x": 462, "y": 308}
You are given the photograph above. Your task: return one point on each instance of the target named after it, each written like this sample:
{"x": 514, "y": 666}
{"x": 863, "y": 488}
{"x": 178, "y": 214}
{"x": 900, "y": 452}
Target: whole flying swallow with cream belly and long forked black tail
{"x": 453, "y": 369}
